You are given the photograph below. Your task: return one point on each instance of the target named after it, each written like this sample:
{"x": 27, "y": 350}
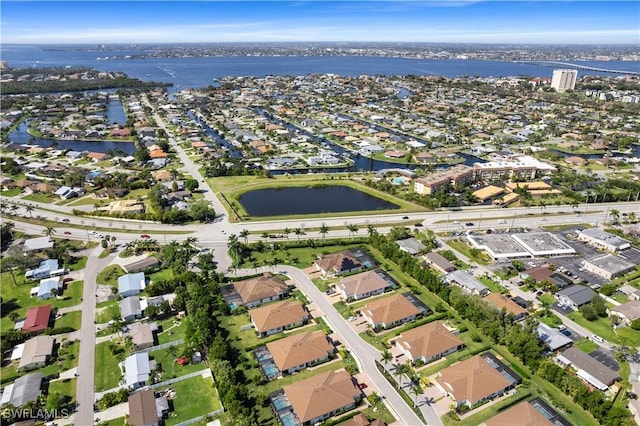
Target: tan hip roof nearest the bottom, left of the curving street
{"x": 322, "y": 394}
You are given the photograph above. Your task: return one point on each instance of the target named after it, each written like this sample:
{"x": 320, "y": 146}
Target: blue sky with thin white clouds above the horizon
{"x": 464, "y": 21}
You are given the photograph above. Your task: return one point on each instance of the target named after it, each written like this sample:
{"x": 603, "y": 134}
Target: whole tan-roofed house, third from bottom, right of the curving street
{"x": 428, "y": 343}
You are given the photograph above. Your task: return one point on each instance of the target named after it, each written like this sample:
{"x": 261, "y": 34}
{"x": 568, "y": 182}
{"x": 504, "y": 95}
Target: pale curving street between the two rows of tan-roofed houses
{"x": 364, "y": 353}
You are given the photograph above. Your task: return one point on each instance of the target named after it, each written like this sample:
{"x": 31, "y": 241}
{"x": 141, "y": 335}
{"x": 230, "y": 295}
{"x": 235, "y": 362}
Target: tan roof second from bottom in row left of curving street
{"x": 299, "y": 349}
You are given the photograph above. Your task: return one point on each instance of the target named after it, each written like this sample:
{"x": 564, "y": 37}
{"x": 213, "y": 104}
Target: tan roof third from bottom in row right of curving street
{"x": 428, "y": 340}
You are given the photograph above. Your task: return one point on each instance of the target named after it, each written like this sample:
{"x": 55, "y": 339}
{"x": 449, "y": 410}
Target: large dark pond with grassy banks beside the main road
{"x": 310, "y": 200}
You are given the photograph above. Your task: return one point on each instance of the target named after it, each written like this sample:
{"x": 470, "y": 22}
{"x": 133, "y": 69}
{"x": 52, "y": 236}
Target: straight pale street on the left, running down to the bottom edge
{"x": 87, "y": 337}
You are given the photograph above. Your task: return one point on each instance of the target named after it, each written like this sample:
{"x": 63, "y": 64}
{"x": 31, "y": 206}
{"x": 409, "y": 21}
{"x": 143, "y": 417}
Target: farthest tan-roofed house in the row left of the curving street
{"x": 255, "y": 291}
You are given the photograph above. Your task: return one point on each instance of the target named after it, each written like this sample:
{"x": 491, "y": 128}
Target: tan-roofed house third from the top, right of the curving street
{"x": 391, "y": 311}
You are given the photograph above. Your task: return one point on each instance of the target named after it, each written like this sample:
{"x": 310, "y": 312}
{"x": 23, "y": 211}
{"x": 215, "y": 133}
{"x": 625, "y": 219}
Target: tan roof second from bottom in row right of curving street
{"x": 472, "y": 380}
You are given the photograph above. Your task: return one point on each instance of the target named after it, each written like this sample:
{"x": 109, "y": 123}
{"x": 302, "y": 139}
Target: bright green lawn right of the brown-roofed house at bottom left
{"x": 194, "y": 397}
